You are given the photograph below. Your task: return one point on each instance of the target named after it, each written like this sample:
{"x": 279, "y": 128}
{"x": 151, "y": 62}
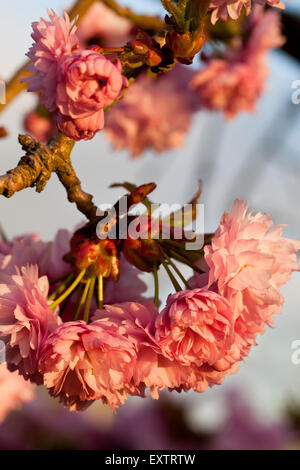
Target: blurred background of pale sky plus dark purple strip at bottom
{"x": 255, "y": 157}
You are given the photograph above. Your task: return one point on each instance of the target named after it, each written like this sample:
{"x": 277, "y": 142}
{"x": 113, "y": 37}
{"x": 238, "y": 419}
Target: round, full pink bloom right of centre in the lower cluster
{"x": 195, "y": 327}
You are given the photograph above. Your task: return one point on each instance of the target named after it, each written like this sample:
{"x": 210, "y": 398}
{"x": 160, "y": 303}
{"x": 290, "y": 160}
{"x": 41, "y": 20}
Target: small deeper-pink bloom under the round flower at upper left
{"x": 82, "y": 128}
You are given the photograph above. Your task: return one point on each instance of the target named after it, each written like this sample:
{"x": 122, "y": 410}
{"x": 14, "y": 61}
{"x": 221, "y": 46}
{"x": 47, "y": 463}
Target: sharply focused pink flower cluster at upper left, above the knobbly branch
{"x": 76, "y": 85}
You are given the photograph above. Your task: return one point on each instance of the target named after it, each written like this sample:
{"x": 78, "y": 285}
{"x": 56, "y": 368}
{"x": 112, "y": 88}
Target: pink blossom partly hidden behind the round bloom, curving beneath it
{"x": 153, "y": 369}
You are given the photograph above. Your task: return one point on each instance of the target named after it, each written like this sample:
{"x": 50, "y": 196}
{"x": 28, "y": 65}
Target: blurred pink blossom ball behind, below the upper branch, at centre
{"x": 154, "y": 114}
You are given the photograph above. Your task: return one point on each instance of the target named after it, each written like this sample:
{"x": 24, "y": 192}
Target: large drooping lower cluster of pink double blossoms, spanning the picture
{"x": 129, "y": 346}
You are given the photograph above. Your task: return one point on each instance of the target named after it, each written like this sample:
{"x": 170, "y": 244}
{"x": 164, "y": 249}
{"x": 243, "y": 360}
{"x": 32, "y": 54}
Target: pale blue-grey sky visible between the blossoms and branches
{"x": 255, "y": 157}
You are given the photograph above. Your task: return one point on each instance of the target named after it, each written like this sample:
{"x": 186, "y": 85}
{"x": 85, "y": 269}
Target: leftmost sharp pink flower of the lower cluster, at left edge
{"x": 25, "y": 318}
